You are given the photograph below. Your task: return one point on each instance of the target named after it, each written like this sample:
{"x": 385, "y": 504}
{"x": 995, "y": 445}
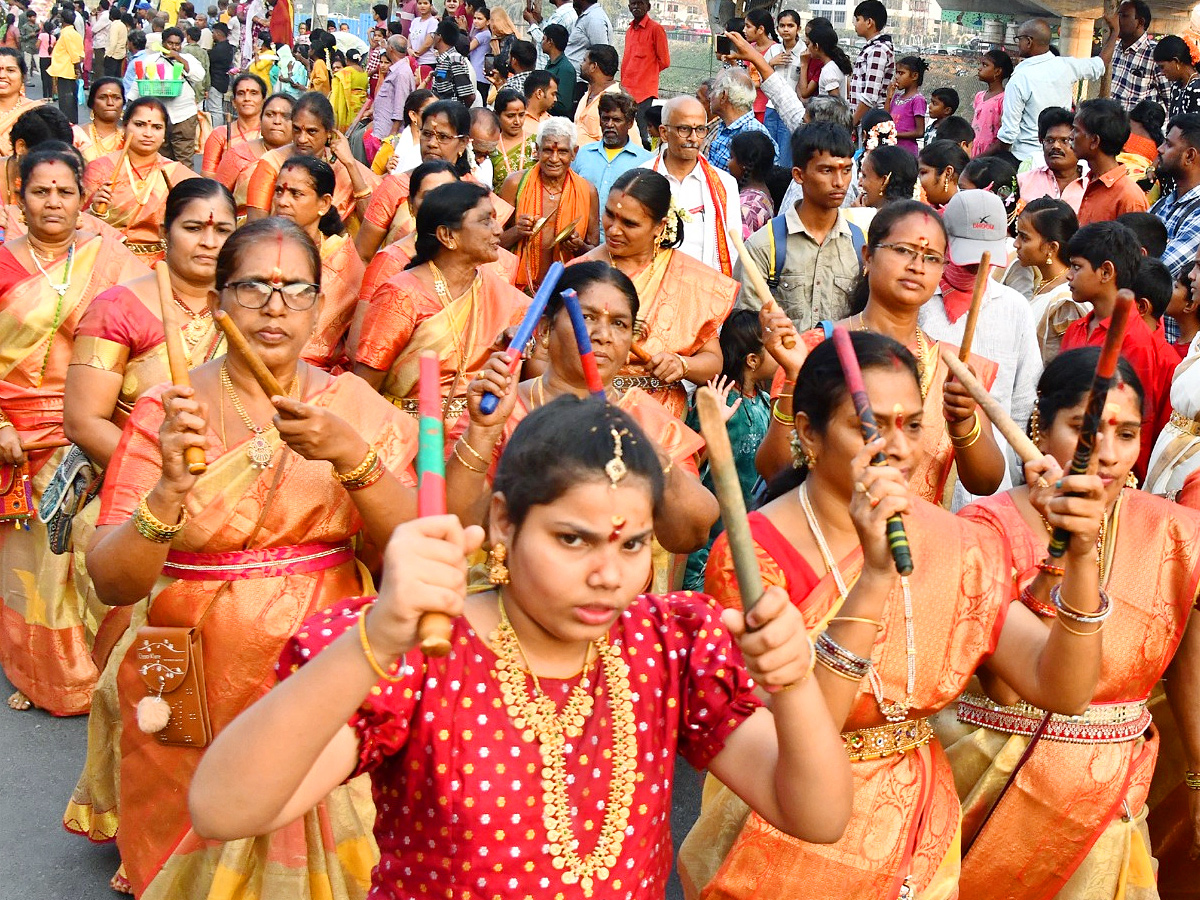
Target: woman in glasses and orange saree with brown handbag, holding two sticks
{"x": 263, "y": 539}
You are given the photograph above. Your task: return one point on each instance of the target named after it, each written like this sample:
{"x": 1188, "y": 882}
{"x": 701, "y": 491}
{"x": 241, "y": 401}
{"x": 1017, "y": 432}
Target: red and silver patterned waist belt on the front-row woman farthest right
{"x": 1100, "y": 724}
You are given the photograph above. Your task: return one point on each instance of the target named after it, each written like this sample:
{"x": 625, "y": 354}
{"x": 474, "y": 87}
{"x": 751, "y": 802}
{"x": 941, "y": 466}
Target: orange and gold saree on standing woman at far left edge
{"x": 45, "y": 647}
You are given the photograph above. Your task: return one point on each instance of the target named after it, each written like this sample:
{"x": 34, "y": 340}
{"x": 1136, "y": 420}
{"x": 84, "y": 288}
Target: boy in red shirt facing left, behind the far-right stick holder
{"x": 1105, "y": 259}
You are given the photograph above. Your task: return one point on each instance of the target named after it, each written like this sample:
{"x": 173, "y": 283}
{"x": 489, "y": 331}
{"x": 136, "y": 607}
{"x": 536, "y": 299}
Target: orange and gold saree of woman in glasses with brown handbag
{"x": 238, "y": 521}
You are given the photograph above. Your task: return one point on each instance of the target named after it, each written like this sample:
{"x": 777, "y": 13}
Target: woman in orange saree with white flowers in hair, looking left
{"x": 683, "y": 301}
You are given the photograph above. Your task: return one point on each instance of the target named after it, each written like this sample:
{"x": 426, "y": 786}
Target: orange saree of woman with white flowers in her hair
{"x": 683, "y": 304}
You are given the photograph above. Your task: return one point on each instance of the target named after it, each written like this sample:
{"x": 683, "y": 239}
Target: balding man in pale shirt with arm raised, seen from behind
{"x": 1041, "y": 81}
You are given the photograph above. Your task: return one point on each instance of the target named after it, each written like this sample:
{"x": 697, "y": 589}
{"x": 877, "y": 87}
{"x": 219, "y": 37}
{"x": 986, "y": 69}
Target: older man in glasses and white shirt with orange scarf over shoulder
{"x": 707, "y": 194}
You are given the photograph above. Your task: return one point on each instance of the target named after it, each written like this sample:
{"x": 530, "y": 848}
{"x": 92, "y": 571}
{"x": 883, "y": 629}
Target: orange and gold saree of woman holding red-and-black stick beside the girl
{"x": 905, "y": 818}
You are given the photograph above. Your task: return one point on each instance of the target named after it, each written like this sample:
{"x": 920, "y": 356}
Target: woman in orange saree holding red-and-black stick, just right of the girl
{"x": 892, "y": 651}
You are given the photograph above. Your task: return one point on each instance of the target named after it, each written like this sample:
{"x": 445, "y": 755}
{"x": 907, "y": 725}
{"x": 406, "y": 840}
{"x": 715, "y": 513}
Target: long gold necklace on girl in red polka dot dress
{"x": 538, "y": 721}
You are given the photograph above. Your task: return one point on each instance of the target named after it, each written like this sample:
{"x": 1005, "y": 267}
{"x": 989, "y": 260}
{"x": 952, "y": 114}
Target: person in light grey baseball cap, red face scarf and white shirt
{"x": 976, "y": 223}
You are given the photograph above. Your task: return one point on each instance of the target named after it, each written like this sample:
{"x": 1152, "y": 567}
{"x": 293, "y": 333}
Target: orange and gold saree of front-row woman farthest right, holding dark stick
{"x": 1072, "y": 825}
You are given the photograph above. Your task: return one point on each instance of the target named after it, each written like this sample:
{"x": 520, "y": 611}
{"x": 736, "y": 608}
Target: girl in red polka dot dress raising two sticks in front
{"x": 537, "y": 760}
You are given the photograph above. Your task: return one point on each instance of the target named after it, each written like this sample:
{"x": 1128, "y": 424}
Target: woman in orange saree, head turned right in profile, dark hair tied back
{"x": 448, "y": 302}
